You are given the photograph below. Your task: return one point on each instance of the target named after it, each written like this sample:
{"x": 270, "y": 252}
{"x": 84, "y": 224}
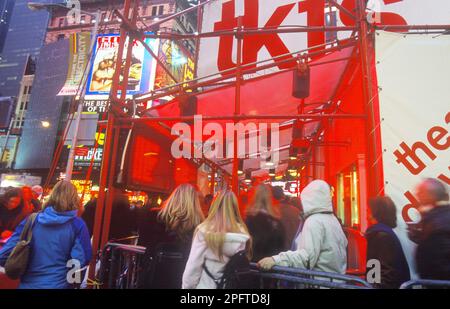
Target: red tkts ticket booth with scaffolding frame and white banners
{"x": 335, "y": 90}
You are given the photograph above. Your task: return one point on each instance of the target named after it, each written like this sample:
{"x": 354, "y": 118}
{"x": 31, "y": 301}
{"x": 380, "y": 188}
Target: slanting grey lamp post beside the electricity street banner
{"x": 71, "y": 159}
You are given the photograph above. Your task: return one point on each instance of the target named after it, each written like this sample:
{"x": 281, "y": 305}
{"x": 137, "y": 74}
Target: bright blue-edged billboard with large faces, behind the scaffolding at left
{"x": 142, "y": 69}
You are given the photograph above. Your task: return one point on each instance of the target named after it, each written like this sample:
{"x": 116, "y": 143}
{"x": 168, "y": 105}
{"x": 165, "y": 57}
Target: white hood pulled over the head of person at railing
{"x": 316, "y": 197}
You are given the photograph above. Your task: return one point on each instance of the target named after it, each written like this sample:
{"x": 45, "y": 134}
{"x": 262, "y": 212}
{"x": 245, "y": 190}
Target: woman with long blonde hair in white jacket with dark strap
{"x": 220, "y": 237}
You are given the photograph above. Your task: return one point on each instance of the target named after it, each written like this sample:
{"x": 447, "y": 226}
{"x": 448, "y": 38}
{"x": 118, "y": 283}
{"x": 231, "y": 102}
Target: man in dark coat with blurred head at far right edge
{"x": 432, "y": 233}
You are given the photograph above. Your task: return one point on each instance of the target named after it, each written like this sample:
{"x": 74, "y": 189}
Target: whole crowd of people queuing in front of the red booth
{"x": 205, "y": 234}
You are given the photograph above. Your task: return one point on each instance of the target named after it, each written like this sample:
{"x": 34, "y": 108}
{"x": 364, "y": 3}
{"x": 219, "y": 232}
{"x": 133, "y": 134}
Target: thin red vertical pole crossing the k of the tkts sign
{"x": 237, "y": 108}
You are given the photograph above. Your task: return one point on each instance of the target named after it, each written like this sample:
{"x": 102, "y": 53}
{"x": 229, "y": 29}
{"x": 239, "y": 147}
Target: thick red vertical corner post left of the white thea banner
{"x": 373, "y": 185}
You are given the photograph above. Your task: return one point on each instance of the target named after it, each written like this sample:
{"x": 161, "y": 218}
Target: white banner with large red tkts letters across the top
{"x": 219, "y": 54}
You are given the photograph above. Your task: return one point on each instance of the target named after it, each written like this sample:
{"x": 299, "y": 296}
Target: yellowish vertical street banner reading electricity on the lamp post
{"x": 79, "y": 44}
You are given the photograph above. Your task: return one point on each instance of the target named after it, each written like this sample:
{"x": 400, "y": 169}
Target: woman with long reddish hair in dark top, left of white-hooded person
{"x": 264, "y": 225}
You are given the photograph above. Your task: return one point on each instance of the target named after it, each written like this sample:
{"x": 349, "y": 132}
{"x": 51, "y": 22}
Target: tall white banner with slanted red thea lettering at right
{"x": 413, "y": 75}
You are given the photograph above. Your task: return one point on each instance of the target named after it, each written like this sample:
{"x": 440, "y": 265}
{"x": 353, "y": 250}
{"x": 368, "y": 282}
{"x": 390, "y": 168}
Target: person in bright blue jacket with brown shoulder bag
{"x": 60, "y": 242}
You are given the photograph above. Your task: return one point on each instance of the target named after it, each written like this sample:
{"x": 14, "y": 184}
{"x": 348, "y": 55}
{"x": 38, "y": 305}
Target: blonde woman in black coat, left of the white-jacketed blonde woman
{"x": 169, "y": 230}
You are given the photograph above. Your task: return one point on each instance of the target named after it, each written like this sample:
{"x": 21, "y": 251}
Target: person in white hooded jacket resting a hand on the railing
{"x": 321, "y": 243}
